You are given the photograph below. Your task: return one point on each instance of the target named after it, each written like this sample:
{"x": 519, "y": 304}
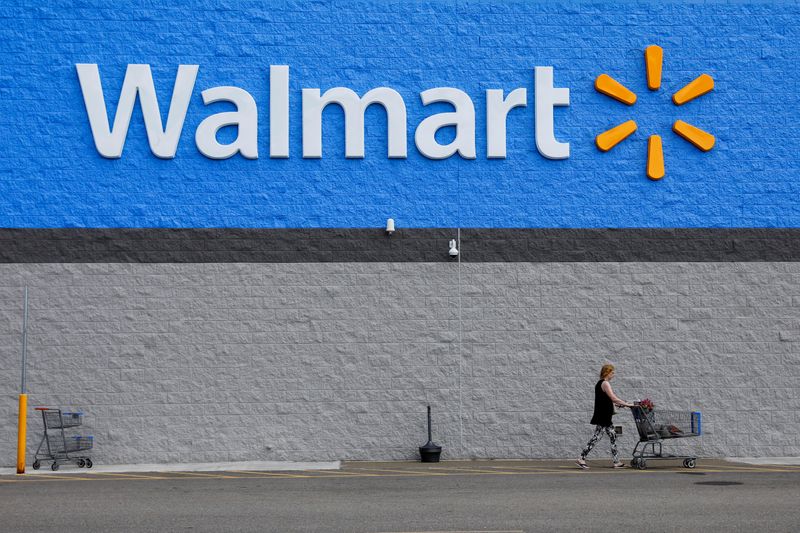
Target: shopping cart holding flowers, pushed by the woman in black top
{"x": 656, "y": 426}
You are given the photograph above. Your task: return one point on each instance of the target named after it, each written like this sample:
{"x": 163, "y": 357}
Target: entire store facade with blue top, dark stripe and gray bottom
{"x": 197, "y": 199}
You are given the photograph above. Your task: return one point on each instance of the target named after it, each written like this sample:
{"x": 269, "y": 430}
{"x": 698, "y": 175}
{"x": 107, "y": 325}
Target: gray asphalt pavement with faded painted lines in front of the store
{"x": 411, "y": 497}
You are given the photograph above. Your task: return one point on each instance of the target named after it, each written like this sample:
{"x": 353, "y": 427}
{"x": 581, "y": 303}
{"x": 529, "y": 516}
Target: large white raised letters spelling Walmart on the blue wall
{"x": 164, "y": 141}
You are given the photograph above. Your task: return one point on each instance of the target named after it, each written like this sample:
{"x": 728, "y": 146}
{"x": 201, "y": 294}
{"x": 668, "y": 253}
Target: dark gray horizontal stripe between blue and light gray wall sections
{"x": 225, "y": 245}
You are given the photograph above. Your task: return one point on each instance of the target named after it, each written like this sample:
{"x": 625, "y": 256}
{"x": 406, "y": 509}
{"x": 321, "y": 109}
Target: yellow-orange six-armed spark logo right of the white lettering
{"x": 608, "y": 86}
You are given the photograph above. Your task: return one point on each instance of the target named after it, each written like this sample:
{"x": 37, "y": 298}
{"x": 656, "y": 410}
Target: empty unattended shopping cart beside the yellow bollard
{"x": 62, "y": 446}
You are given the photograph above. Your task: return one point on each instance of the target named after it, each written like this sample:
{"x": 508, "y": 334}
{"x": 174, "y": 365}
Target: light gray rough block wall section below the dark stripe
{"x": 211, "y": 362}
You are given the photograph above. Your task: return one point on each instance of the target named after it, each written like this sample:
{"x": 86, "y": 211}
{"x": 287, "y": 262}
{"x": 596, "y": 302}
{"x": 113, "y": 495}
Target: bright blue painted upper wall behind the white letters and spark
{"x": 52, "y": 176}
